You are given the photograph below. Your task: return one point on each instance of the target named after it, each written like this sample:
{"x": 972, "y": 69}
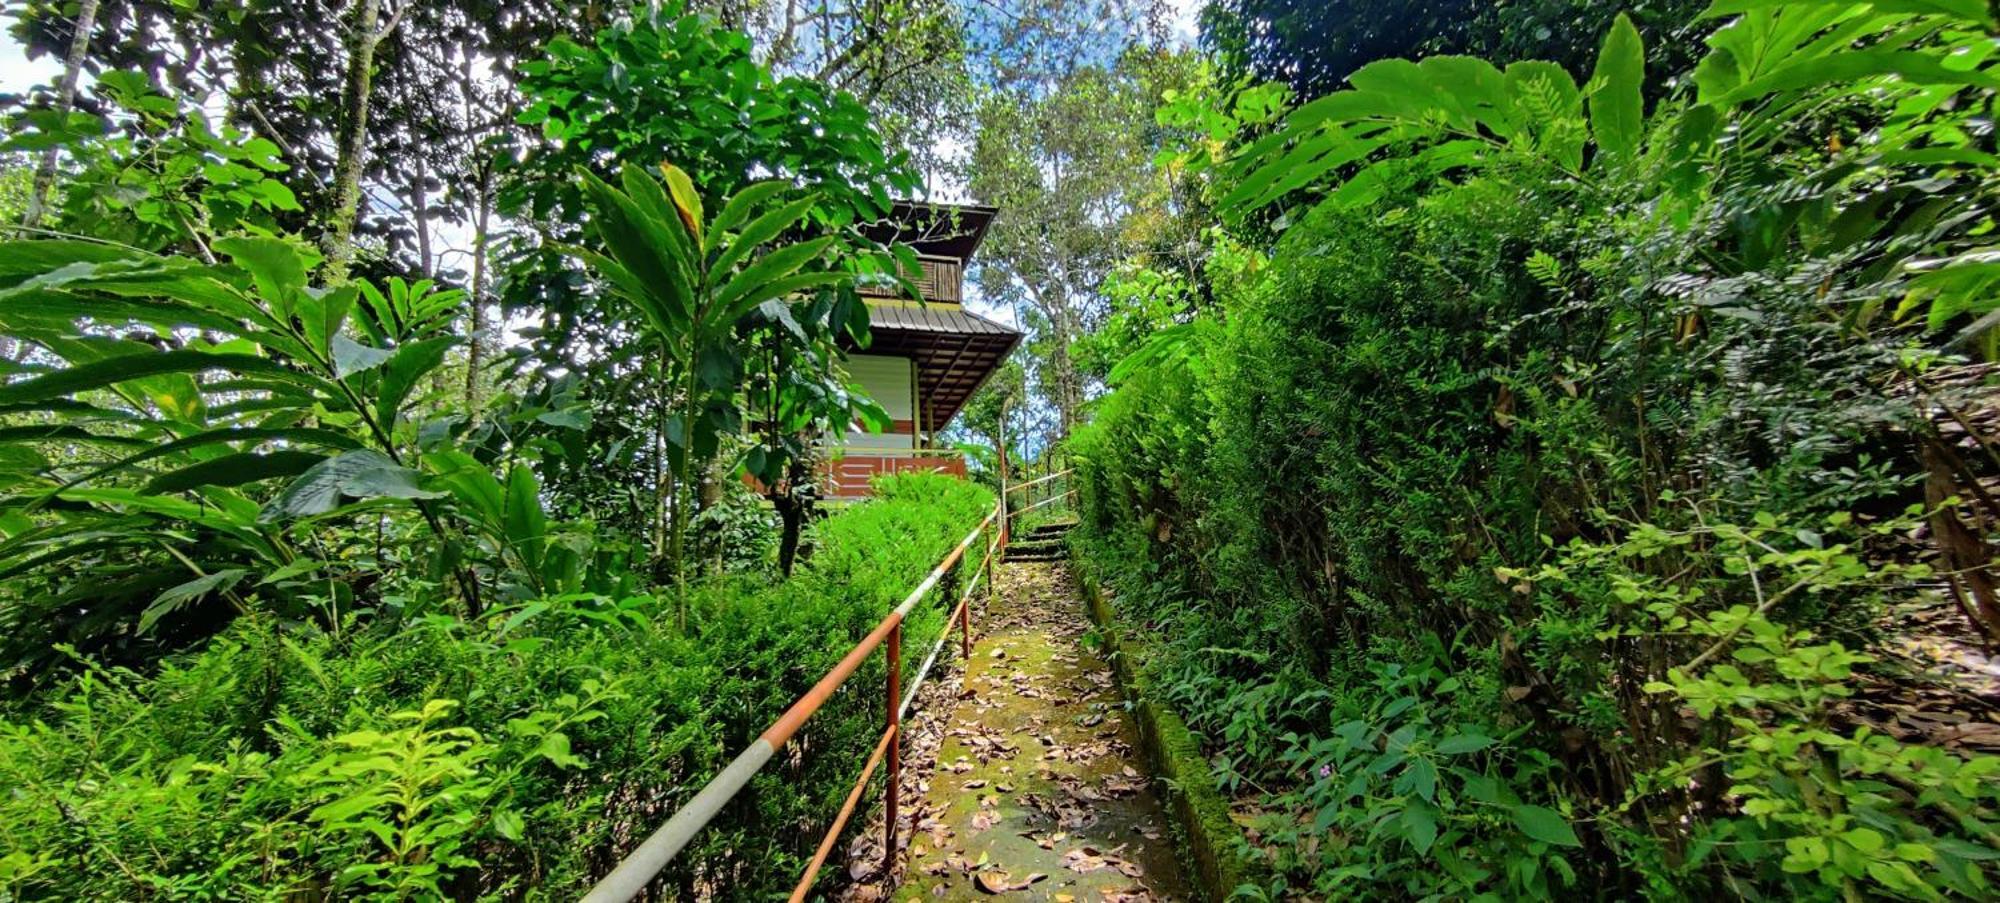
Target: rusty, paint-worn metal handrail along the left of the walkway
{"x": 631, "y": 878}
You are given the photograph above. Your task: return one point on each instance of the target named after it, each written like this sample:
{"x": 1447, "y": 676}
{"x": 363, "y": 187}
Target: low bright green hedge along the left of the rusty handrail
{"x": 285, "y": 762}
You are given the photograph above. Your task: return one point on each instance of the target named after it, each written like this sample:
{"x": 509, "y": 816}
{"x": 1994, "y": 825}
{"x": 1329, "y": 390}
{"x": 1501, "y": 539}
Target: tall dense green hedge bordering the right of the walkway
{"x": 1435, "y": 514}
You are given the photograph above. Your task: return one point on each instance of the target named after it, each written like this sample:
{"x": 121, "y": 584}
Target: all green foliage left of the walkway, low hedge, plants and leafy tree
{"x": 291, "y": 610}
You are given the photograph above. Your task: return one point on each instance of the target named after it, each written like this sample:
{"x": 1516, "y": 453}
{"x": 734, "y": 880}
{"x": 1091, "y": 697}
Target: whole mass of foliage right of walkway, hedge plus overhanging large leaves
{"x": 1523, "y": 518}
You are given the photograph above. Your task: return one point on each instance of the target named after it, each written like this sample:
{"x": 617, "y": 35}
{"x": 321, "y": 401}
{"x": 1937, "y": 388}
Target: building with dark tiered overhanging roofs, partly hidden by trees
{"x": 927, "y": 359}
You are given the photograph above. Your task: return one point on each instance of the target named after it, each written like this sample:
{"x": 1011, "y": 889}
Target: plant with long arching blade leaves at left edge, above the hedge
{"x": 133, "y": 456}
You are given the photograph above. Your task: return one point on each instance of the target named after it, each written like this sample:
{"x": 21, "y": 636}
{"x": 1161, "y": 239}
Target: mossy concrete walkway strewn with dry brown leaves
{"x": 1031, "y": 788}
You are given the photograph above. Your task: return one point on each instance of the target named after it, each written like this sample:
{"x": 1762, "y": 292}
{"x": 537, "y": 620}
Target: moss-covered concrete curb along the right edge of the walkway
{"x": 1207, "y": 834}
